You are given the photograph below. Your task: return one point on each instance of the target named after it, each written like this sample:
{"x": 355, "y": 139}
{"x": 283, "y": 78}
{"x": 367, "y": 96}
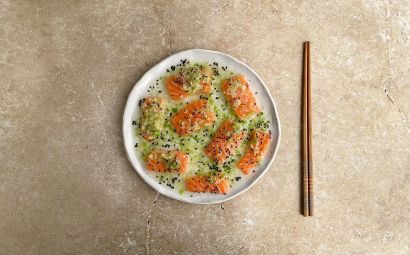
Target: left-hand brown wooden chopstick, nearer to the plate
{"x": 304, "y": 134}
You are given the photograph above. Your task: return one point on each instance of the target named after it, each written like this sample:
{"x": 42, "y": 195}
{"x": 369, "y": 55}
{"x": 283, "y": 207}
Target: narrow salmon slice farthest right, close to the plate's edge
{"x": 259, "y": 144}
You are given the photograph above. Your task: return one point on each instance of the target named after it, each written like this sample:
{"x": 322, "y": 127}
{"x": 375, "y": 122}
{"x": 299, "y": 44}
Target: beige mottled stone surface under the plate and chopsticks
{"x": 67, "y": 67}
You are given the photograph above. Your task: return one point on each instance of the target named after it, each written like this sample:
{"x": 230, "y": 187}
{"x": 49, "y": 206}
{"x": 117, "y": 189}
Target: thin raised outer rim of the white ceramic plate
{"x": 173, "y": 195}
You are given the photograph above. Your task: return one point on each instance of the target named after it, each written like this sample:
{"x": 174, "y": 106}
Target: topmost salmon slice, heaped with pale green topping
{"x": 189, "y": 81}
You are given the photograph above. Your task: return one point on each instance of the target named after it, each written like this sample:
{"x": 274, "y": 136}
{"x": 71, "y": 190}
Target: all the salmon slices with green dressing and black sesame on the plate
{"x": 200, "y": 130}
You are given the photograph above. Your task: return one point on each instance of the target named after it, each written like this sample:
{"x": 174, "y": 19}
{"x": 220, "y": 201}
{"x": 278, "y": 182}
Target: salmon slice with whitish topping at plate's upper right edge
{"x": 239, "y": 95}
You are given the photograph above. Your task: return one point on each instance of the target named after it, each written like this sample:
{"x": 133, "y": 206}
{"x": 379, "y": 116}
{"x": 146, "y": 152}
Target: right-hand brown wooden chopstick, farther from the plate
{"x": 310, "y": 135}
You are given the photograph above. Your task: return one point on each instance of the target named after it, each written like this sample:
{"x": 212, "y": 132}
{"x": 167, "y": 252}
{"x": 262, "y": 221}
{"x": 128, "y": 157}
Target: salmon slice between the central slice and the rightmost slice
{"x": 224, "y": 142}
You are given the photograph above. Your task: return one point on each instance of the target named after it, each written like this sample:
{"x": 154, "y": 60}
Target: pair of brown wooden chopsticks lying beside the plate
{"x": 307, "y": 135}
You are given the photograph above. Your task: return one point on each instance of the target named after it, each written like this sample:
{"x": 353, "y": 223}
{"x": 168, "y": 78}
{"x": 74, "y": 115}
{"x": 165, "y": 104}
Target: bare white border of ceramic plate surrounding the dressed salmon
{"x": 139, "y": 91}
